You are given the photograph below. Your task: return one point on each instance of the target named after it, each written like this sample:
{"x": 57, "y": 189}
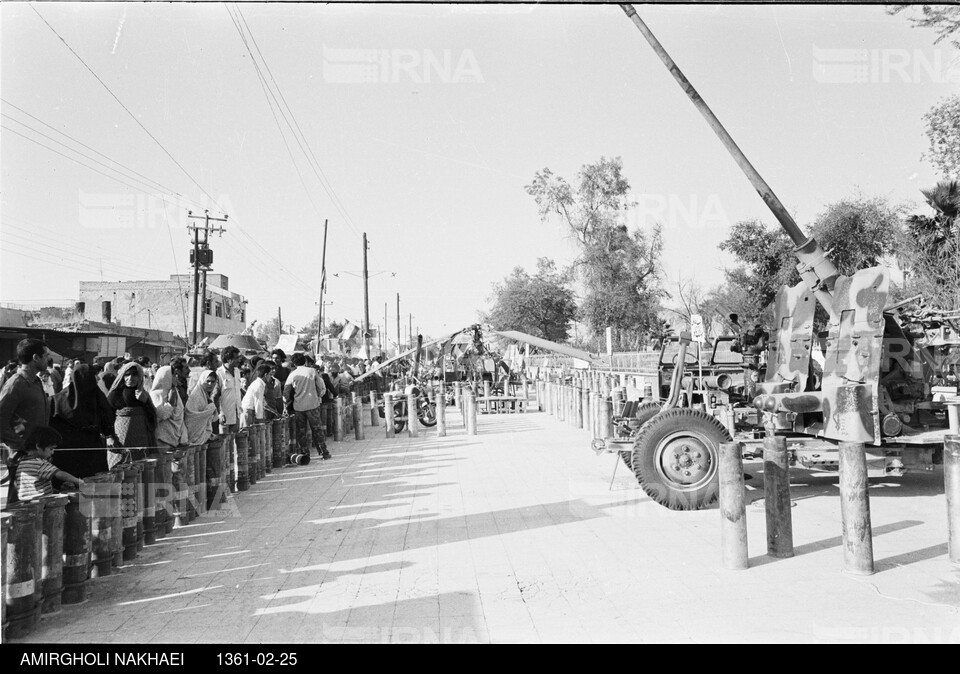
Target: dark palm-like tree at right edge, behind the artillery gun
{"x": 931, "y": 248}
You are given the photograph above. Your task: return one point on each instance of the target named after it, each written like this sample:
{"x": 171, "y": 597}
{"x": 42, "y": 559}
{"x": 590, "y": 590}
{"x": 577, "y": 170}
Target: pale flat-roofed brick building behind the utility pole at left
{"x": 165, "y": 305}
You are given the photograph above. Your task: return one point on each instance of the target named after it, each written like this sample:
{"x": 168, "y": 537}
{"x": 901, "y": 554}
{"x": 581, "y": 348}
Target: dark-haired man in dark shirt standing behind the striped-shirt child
{"x": 23, "y": 403}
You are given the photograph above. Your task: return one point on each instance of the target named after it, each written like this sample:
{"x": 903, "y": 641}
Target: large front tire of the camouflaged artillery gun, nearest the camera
{"x": 675, "y": 458}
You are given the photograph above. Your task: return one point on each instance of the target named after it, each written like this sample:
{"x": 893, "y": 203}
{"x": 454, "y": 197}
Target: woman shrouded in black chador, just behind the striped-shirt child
{"x": 84, "y": 421}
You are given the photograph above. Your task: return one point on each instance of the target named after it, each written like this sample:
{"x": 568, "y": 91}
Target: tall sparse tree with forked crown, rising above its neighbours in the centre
{"x": 620, "y": 270}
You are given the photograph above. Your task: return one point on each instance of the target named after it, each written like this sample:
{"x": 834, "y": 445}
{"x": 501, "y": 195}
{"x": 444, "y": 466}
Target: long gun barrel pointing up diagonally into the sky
{"x": 816, "y": 269}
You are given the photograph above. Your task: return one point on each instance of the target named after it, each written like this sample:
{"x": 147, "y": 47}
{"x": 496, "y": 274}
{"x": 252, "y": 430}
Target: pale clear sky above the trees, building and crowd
{"x": 420, "y": 125}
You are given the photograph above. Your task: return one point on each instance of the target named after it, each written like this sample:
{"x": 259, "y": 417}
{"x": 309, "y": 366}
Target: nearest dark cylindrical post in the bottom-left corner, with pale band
{"x": 21, "y": 567}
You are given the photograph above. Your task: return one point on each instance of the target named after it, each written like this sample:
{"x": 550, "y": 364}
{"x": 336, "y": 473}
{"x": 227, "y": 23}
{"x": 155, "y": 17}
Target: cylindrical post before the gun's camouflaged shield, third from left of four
{"x": 855, "y": 510}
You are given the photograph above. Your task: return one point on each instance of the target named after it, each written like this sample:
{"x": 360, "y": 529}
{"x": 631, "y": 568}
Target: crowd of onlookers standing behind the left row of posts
{"x": 104, "y": 414}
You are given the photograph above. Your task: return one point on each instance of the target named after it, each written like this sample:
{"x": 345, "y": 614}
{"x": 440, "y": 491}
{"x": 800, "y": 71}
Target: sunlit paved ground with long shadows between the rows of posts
{"x": 513, "y": 536}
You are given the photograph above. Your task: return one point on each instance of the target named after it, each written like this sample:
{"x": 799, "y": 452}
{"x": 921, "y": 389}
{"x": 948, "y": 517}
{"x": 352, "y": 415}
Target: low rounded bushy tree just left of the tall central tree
{"x": 542, "y": 305}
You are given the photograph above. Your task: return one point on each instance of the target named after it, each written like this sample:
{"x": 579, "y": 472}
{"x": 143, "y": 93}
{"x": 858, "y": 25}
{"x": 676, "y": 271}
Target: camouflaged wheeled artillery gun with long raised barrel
{"x": 882, "y": 367}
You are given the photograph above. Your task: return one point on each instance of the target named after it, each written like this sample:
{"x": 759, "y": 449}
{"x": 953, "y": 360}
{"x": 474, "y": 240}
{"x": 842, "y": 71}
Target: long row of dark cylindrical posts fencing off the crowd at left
{"x": 55, "y": 545}
